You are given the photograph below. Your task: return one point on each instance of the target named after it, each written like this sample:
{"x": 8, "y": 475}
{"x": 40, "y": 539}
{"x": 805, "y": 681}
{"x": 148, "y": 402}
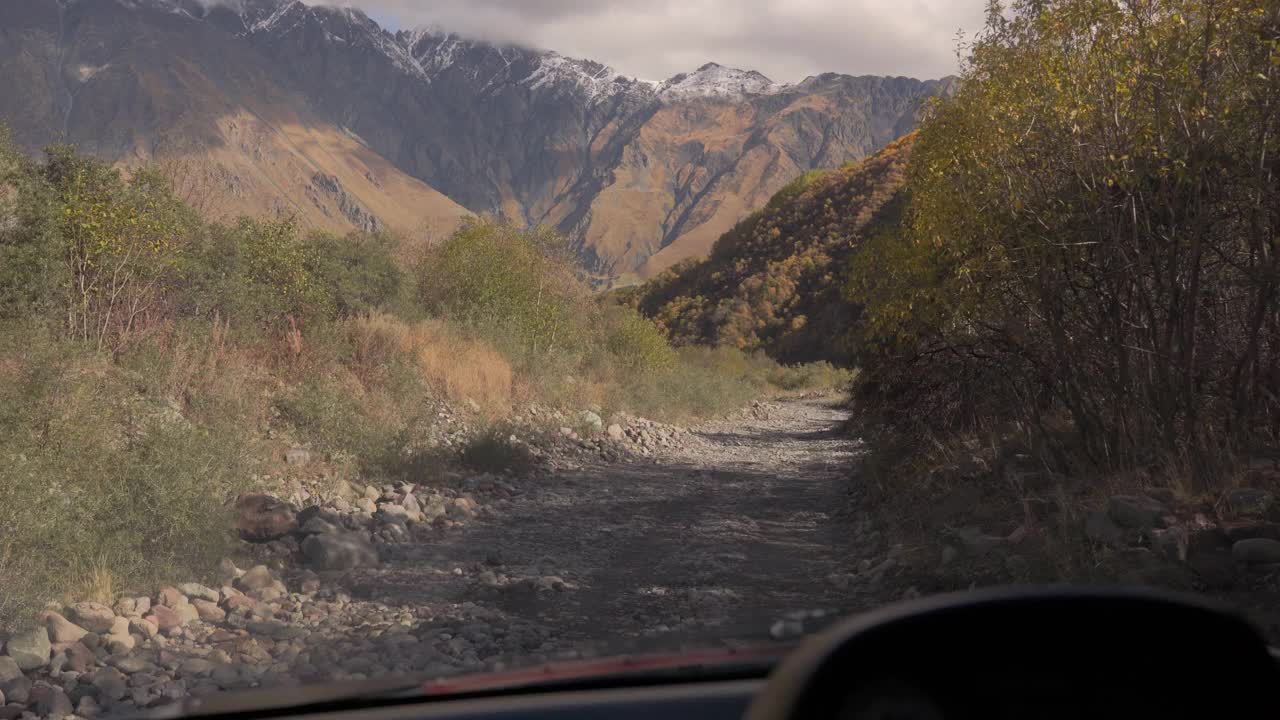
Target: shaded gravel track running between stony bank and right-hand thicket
{"x": 730, "y": 537}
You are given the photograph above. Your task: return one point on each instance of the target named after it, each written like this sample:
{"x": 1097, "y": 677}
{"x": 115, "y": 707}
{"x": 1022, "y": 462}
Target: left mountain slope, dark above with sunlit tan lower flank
{"x": 139, "y": 83}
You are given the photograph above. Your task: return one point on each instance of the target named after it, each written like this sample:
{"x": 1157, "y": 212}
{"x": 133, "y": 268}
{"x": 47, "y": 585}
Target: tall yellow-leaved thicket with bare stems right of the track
{"x": 1089, "y": 230}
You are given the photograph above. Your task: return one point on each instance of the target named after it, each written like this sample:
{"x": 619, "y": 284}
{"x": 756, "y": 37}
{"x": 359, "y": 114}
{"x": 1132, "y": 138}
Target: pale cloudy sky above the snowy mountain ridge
{"x": 787, "y": 40}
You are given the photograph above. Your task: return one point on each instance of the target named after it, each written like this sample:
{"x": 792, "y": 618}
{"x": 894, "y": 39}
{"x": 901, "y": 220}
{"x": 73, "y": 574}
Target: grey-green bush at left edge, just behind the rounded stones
{"x": 99, "y": 481}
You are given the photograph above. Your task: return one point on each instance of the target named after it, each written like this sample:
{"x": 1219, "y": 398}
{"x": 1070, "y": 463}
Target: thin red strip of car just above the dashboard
{"x": 595, "y": 668}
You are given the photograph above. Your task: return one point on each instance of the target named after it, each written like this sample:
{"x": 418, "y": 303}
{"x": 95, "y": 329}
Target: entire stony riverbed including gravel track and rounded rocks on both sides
{"x": 630, "y": 536}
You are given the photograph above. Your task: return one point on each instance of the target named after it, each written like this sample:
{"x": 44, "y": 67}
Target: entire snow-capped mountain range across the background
{"x": 323, "y": 113}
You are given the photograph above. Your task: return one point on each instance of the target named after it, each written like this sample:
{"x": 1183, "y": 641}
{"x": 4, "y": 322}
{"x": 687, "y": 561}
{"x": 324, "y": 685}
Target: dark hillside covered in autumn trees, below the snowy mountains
{"x": 776, "y": 282}
